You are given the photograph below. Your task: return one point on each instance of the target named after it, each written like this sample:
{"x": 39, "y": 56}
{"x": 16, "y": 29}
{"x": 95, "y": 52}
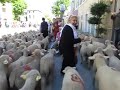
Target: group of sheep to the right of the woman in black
{"x": 106, "y": 63}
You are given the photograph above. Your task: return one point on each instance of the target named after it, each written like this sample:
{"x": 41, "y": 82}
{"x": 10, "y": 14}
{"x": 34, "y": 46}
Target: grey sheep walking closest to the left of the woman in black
{"x": 46, "y": 69}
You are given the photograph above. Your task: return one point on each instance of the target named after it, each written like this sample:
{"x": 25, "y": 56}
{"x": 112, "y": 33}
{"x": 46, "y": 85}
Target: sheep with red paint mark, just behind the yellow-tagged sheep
{"x": 15, "y": 79}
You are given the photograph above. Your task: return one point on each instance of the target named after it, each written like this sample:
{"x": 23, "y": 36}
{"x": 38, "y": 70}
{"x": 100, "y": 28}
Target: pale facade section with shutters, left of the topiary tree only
{"x": 81, "y": 8}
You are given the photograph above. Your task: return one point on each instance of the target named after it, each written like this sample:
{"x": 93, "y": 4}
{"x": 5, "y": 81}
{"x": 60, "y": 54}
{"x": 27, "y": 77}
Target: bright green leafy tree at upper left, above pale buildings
{"x": 18, "y": 8}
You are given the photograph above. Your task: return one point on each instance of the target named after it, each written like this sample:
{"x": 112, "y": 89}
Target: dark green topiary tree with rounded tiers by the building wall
{"x": 98, "y": 10}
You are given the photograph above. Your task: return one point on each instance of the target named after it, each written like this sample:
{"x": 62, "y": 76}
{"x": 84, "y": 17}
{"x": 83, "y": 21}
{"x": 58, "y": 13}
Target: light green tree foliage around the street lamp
{"x": 56, "y": 6}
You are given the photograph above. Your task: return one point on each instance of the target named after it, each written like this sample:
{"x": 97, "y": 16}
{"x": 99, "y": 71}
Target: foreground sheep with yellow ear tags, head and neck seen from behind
{"x": 31, "y": 78}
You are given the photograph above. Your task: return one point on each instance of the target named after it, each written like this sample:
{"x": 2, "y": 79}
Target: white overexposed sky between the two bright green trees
{"x": 43, "y": 5}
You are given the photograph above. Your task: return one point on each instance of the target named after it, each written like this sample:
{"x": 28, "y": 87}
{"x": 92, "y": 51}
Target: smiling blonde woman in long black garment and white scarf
{"x": 67, "y": 43}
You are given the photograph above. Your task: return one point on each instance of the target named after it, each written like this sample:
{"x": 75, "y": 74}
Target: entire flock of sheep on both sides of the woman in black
{"x": 26, "y": 63}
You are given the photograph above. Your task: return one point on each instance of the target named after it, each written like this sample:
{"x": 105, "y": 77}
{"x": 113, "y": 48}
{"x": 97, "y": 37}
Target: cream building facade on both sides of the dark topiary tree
{"x": 81, "y": 8}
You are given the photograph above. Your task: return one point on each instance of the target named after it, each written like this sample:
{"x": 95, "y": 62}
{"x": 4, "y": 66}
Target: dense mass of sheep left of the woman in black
{"x": 25, "y": 61}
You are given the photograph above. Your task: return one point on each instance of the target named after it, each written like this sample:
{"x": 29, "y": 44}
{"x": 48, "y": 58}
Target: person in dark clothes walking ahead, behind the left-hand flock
{"x": 44, "y": 28}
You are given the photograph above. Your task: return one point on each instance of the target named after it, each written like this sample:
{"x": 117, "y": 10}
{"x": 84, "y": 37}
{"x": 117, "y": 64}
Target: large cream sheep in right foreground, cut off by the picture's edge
{"x": 106, "y": 78}
